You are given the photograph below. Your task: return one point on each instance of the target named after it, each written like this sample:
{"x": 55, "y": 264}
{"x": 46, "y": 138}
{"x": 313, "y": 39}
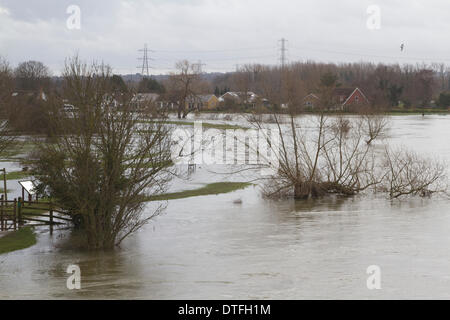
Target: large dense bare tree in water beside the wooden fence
{"x": 106, "y": 159}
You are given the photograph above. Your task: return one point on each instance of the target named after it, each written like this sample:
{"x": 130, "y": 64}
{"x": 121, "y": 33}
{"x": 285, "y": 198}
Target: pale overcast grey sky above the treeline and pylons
{"x": 223, "y": 33}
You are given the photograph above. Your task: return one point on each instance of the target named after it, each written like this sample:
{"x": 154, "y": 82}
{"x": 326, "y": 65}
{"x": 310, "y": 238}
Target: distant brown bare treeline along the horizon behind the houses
{"x": 23, "y": 89}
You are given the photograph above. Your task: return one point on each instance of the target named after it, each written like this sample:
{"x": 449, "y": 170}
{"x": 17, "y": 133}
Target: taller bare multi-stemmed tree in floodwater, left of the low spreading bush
{"x": 317, "y": 155}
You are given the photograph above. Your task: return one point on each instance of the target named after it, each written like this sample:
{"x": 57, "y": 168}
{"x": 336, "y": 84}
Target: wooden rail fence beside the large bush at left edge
{"x": 17, "y": 213}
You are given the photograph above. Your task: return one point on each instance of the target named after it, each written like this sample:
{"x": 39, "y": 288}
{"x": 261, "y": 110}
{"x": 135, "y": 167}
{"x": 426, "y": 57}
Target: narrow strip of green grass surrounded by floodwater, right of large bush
{"x": 209, "y": 189}
